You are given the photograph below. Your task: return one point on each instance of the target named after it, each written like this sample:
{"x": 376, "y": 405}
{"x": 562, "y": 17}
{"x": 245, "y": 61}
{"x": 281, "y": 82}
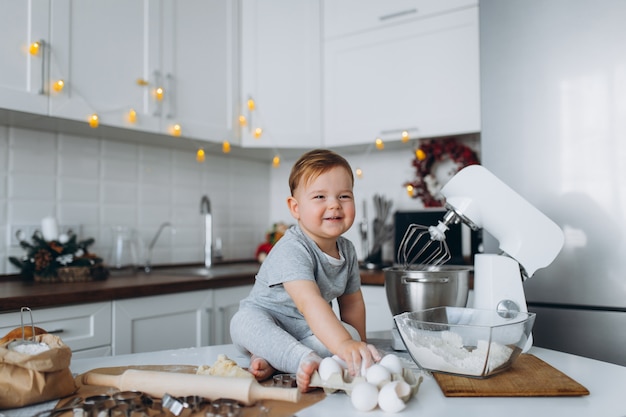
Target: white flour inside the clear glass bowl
{"x": 446, "y": 352}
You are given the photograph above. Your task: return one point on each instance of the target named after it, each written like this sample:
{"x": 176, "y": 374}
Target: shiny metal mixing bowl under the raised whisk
{"x": 414, "y": 289}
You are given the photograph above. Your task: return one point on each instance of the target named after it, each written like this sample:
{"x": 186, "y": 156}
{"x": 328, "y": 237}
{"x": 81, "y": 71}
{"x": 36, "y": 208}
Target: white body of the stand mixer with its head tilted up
{"x": 528, "y": 239}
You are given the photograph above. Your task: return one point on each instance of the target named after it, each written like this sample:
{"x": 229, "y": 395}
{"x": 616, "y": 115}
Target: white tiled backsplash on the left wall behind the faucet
{"x": 98, "y": 183}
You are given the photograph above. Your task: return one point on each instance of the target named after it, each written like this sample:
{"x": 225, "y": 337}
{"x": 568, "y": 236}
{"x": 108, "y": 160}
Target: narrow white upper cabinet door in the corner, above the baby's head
{"x": 281, "y": 72}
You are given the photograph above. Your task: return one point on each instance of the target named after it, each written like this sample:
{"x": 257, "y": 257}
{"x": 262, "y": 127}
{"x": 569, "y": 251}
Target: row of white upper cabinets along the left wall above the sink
{"x": 157, "y": 66}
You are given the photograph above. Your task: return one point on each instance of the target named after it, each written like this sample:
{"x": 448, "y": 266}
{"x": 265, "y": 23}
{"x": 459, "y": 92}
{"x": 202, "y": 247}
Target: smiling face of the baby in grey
{"x": 324, "y": 206}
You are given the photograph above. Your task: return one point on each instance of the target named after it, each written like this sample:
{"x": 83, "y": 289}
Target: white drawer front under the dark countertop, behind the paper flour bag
{"x": 85, "y": 328}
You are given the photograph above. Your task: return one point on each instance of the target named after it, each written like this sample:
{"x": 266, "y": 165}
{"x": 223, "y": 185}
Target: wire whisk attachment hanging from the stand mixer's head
{"x": 424, "y": 247}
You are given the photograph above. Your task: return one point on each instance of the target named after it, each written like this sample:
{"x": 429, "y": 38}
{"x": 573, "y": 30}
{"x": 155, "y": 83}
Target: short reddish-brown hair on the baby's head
{"x": 314, "y": 163}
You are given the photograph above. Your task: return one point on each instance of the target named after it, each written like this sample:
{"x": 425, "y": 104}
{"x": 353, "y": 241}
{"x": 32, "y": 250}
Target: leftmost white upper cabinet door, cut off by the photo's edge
{"x": 23, "y": 77}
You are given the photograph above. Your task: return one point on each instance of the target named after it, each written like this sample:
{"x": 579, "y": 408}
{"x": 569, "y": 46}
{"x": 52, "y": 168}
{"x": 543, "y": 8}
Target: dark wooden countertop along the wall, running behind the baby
{"x": 15, "y": 293}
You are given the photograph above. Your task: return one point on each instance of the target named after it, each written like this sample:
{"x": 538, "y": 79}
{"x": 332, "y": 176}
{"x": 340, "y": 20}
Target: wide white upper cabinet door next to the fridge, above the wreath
{"x": 420, "y": 75}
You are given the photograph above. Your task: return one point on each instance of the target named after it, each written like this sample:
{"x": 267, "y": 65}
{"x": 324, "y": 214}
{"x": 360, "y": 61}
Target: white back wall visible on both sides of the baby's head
{"x": 384, "y": 172}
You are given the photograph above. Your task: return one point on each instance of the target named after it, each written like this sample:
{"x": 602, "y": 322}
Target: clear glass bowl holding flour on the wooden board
{"x": 464, "y": 341}
